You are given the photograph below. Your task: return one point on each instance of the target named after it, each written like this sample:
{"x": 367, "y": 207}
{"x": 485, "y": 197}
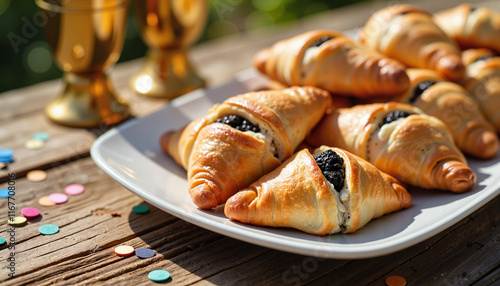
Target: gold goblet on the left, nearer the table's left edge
{"x": 87, "y": 39}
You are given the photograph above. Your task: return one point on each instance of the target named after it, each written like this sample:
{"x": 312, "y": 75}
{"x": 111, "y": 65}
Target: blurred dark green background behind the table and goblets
{"x": 26, "y": 61}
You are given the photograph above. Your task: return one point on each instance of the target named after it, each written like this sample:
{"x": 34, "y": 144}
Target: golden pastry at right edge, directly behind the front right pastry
{"x": 452, "y": 104}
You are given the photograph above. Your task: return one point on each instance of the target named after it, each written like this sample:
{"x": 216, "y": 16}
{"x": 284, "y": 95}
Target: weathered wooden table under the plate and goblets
{"x": 82, "y": 252}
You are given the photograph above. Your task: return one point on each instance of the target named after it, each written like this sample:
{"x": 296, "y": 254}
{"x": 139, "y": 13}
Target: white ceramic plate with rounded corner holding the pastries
{"x": 131, "y": 155}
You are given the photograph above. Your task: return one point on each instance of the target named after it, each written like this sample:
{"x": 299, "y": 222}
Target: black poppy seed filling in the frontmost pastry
{"x": 332, "y": 167}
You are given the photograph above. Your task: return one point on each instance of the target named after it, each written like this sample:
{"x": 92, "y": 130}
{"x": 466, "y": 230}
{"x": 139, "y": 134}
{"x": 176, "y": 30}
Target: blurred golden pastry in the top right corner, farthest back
{"x": 471, "y": 27}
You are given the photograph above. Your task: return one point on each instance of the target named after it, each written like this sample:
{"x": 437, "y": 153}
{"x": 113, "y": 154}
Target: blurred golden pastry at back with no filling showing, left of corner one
{"x": 408, "y": 33}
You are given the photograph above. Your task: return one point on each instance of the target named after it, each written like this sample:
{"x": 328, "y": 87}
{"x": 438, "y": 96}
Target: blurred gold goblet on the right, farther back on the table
{"x": 168, "y": 27}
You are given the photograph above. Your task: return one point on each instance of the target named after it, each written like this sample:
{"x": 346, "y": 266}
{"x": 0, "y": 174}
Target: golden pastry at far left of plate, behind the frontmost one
{"x": 242, "y": 139}
